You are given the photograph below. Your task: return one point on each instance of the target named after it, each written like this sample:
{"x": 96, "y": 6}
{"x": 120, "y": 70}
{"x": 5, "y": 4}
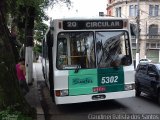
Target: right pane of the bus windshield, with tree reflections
{"x": 112, "y": 49}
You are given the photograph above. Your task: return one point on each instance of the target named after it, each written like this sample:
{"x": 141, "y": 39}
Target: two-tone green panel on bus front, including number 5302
{"x": 90, "y": 81}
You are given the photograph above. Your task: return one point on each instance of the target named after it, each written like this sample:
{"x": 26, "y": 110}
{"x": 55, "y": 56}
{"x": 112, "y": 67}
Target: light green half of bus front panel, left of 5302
{"x": 82, "y": 82}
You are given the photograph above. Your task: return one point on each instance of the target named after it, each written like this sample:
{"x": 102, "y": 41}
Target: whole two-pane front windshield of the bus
{"x": 92, "y": 49}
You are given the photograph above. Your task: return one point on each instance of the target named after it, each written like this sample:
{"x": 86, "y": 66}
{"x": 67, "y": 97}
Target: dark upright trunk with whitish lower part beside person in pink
{"x": 26, "y": 22}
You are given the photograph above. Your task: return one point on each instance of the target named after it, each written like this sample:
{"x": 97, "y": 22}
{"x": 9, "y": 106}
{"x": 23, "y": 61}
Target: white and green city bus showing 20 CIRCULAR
{"x": 88, "y": 59}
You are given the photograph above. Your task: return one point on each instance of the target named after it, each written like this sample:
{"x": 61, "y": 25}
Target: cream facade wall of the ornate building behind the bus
{"x": 146, "y": 41}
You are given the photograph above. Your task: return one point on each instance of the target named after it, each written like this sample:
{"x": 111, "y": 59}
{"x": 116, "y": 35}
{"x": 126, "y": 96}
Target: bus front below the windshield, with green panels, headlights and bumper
{"x": 94, "y": 85}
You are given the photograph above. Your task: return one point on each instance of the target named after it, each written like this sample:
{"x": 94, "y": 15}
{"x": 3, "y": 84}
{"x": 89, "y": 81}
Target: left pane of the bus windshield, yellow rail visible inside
{"x": 75, "y": 49}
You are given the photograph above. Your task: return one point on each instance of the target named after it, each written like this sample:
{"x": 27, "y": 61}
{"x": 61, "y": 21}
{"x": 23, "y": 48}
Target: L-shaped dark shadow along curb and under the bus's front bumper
{"x": 86, "y": 107}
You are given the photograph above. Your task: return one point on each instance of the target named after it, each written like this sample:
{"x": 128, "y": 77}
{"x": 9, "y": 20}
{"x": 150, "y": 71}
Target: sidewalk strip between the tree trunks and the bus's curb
{"x": 33, "y": 97}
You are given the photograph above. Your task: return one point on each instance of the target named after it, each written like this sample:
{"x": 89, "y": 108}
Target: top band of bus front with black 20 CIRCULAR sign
{"x": 81, "y": 23}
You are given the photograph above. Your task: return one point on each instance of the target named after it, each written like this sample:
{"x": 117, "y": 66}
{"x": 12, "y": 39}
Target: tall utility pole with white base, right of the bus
{"x": 138, "y": 33}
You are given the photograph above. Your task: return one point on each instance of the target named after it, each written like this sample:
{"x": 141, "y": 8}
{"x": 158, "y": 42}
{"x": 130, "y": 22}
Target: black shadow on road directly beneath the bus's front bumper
{"x": 86, "y": 107}
